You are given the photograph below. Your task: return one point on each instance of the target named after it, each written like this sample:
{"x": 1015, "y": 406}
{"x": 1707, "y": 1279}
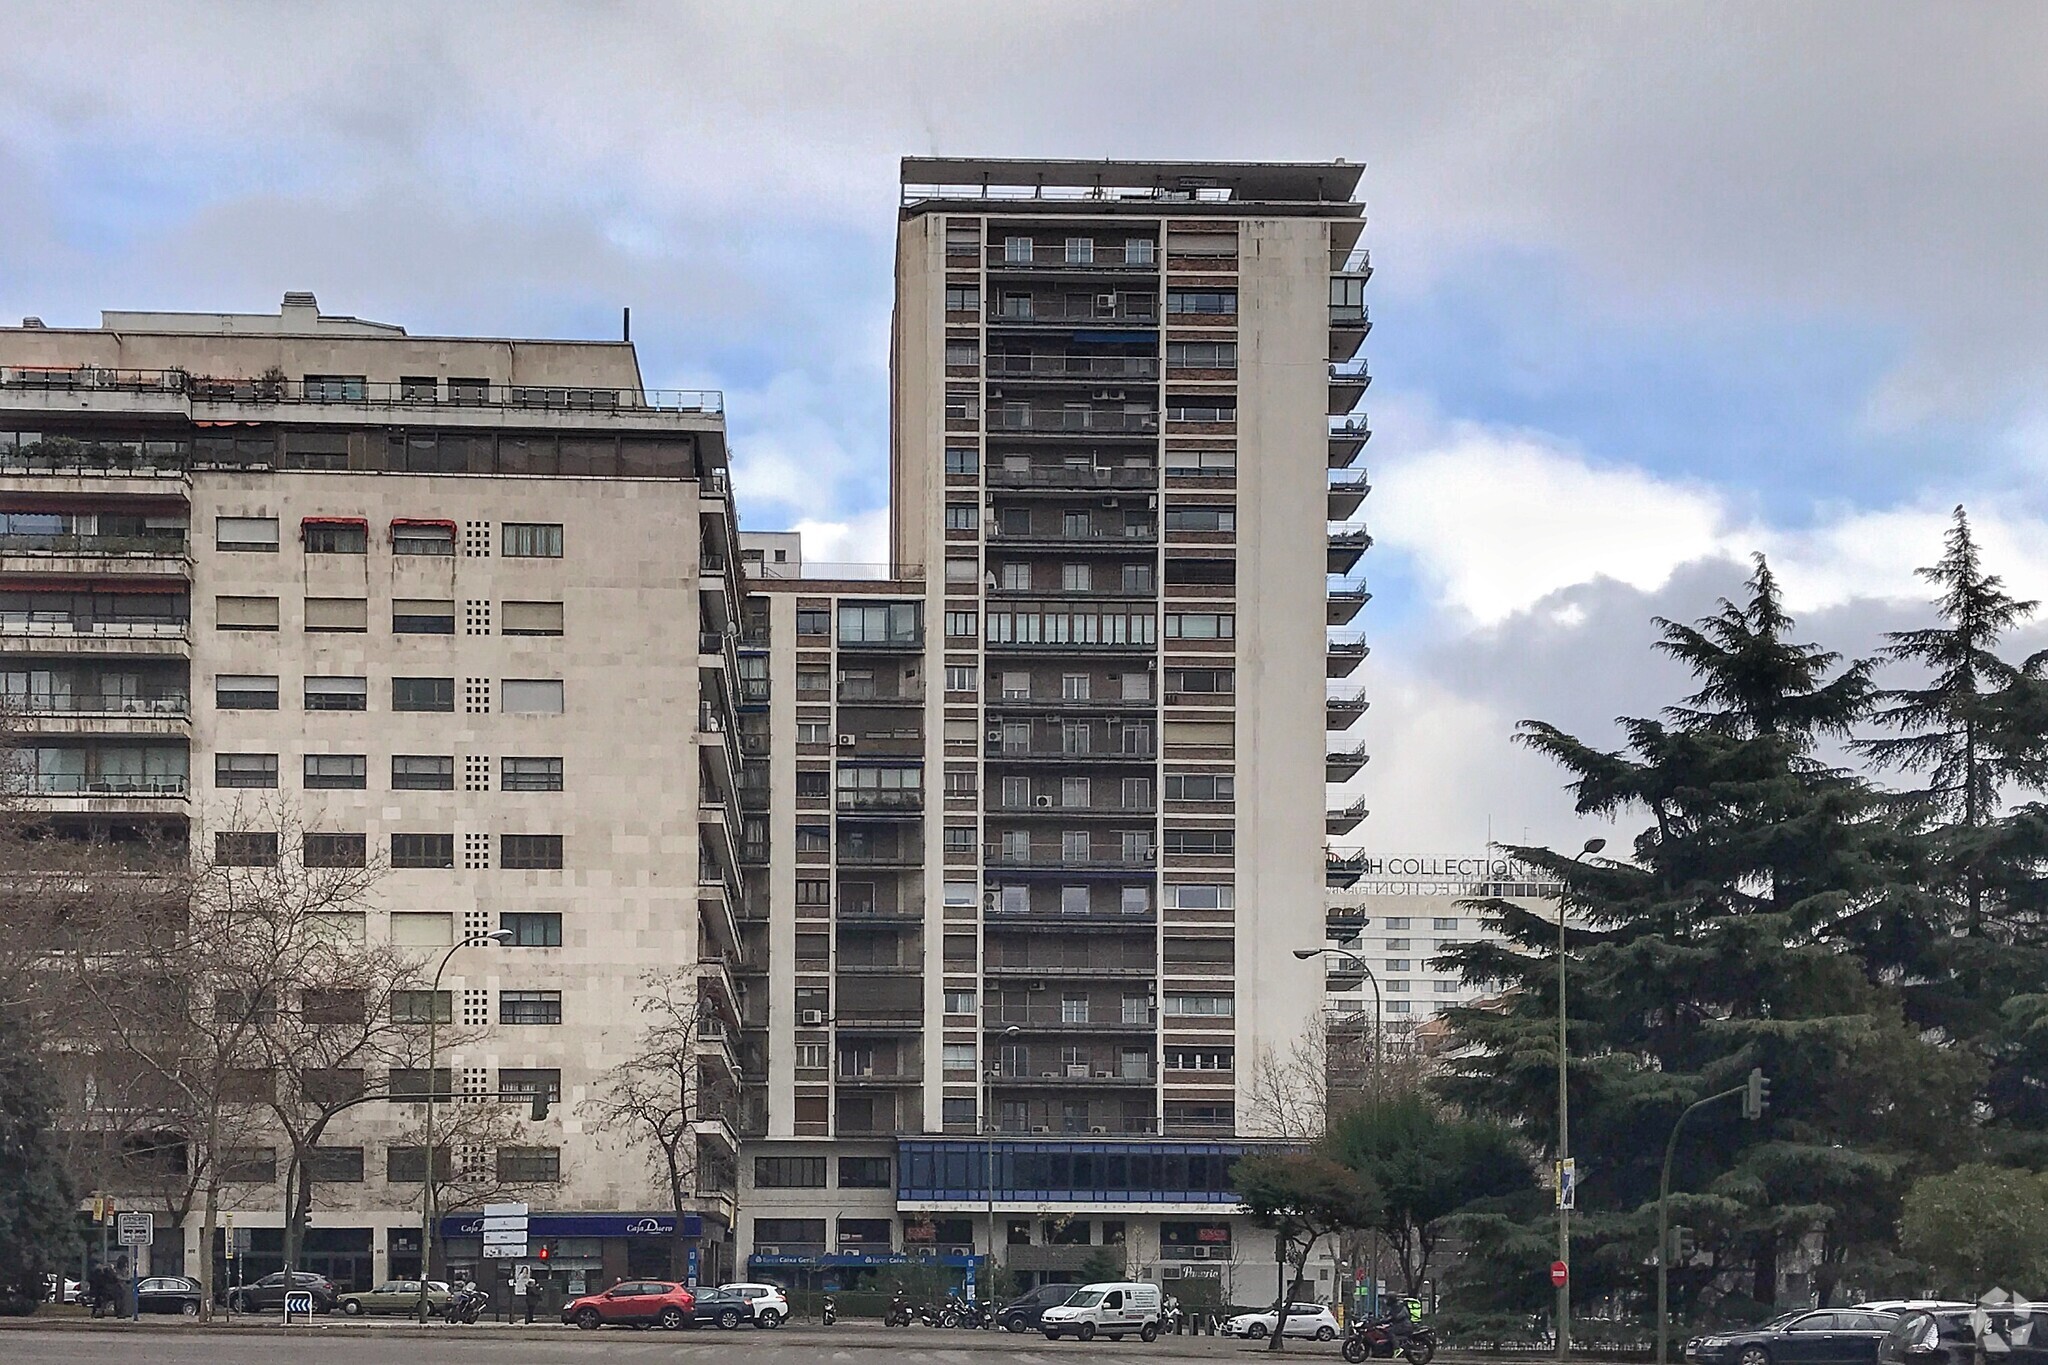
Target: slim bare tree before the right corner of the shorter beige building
{"x": 663, "y": 1092}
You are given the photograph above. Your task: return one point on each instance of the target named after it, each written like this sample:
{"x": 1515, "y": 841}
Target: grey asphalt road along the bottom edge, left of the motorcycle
{"x": 550, "y": 1346}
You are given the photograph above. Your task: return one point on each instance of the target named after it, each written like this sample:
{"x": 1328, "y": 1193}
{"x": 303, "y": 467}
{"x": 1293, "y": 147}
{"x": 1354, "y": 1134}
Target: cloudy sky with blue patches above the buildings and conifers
{"x": 1656, "y": 288}
